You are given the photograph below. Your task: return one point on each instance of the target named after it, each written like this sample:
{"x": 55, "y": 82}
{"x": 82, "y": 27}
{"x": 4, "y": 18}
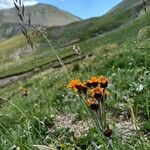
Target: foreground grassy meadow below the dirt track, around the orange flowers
{"x": 28, "y": 121}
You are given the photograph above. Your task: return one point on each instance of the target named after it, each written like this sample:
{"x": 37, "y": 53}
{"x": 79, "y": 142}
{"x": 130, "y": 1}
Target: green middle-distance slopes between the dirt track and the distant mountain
{"x": 92, "y": 33}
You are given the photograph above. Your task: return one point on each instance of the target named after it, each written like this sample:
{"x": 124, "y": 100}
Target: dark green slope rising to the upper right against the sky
{"x": 119, "y": 16}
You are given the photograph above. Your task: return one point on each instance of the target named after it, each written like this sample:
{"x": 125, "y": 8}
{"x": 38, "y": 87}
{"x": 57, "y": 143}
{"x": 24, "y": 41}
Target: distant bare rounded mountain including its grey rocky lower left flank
{"x": 41, "y": 14}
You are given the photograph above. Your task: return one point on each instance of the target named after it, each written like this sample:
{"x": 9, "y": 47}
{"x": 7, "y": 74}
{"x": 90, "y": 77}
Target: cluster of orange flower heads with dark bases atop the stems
{"x": 94, "y": 89}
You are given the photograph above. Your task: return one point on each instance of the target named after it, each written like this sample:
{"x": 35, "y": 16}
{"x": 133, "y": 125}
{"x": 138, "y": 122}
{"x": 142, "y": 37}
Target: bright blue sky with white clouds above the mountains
{"x": 81, "y": 8}
